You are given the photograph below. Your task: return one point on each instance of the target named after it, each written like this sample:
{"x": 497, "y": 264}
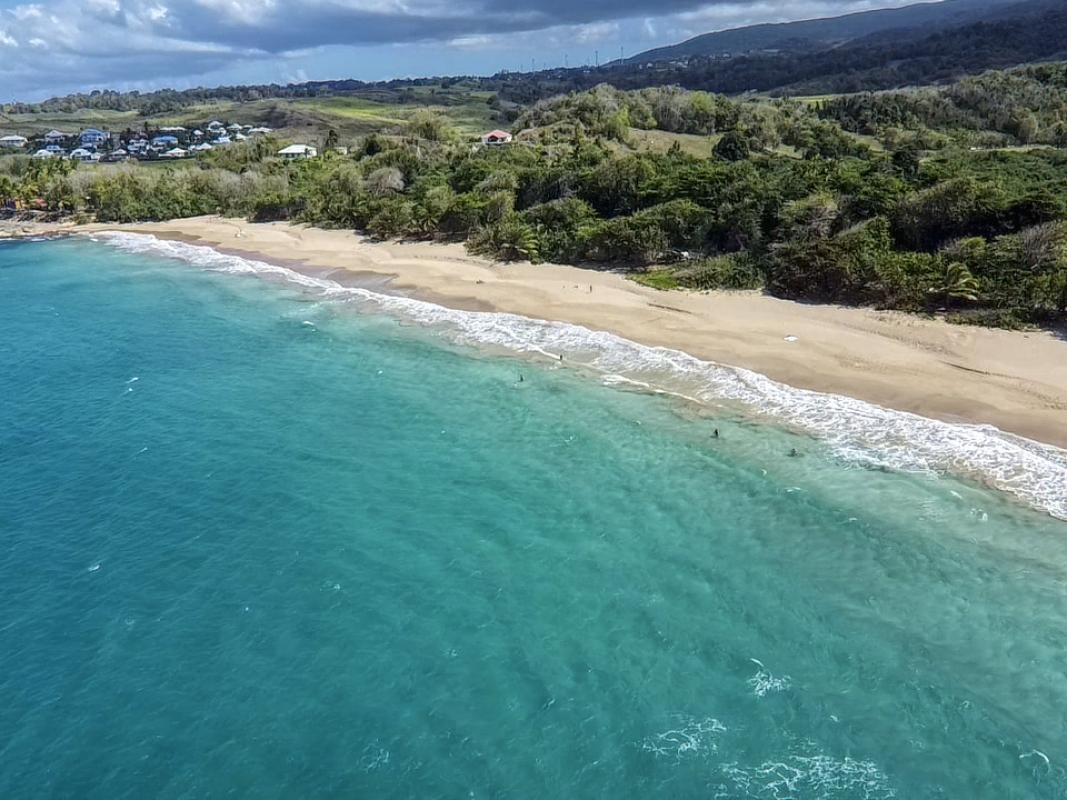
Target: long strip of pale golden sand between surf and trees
{"x": 1015, "y": 381}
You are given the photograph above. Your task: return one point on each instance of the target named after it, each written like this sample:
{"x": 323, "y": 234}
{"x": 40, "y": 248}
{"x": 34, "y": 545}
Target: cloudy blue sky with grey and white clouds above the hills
{"x": 54, "y": 47}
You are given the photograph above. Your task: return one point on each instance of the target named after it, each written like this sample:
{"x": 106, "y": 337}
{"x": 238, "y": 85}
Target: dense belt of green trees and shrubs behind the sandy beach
{"x": 950, "y": 199}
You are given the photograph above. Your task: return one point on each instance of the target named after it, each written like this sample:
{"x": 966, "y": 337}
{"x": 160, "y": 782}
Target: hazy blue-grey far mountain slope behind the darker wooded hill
{"x": 907, "y": 22}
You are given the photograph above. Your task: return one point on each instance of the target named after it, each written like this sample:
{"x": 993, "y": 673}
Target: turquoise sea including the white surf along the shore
{"x": 278, "y": 539}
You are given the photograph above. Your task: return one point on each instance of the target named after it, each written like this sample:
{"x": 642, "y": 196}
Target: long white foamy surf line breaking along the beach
{"x": 856, "y": 430}
